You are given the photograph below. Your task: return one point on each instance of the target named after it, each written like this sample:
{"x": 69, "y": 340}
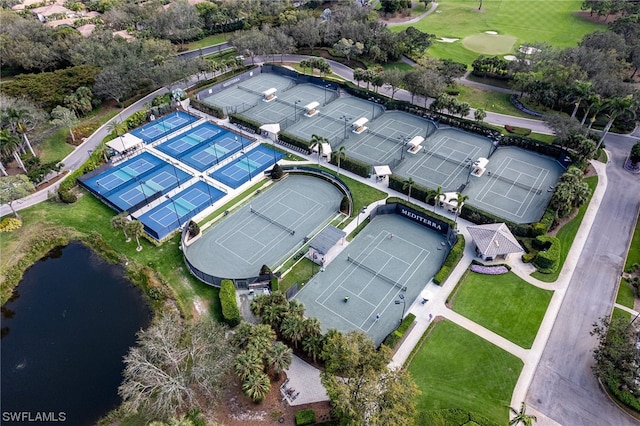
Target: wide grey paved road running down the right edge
{"x": 564, "y": 388}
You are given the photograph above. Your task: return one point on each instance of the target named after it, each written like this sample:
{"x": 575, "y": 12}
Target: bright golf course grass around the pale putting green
{"x": 549, "y": 21}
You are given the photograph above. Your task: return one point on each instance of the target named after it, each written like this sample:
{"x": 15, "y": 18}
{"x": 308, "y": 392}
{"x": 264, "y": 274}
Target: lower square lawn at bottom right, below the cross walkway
{"x": 458, "y": 369}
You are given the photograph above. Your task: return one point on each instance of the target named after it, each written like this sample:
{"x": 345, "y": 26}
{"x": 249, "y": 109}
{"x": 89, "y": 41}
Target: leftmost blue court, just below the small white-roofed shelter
{"x": 117, "y": 177}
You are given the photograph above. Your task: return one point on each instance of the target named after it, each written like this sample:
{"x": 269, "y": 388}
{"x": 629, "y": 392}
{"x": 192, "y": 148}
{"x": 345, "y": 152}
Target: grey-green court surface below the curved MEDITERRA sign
{"x": 388, "y": 256}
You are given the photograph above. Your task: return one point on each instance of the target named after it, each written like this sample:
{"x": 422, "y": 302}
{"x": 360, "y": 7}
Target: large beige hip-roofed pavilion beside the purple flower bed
{"x": 494, "y": 241}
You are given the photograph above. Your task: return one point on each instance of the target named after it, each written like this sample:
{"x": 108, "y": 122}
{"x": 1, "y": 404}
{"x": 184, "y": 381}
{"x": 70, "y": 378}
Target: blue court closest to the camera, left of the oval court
{"x": 179, "y": 209}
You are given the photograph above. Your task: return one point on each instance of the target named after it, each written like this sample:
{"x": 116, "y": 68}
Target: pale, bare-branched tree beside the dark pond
{"x": 176, "y": 366}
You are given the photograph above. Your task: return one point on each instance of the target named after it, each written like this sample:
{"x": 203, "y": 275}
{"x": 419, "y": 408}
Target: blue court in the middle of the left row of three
{"x": 140, "y": 192}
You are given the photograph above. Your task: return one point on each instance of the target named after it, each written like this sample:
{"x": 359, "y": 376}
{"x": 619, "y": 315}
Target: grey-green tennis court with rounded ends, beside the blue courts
{"x": 239, "y": 244}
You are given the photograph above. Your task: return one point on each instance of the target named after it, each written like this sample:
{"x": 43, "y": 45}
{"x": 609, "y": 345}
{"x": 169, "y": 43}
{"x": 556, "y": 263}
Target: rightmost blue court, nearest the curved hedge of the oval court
{"x": 246, "y": 167}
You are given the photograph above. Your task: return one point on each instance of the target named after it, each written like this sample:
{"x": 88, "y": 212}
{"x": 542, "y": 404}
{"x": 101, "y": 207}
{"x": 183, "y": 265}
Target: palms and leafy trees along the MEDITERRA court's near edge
{"x": 363, "y": 390}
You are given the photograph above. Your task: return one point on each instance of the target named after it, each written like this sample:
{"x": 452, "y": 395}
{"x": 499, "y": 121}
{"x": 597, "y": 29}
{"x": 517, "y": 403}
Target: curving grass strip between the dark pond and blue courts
{"x": 90, "y": 215}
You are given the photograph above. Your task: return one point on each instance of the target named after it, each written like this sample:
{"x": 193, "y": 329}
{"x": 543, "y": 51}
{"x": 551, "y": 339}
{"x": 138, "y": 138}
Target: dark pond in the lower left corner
{"x": 65, "y": 331}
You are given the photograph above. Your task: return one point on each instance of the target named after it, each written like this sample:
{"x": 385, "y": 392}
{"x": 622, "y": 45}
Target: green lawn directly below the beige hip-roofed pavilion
{"x": 504, "y": 304}
